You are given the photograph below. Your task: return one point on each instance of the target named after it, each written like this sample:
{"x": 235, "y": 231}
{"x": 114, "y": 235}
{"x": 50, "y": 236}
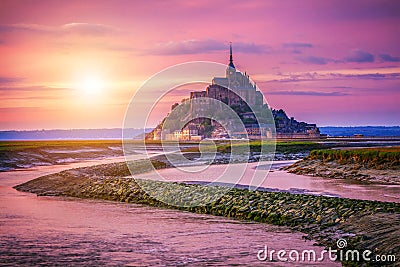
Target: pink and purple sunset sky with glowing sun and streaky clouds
{"x": 76, "y": 64}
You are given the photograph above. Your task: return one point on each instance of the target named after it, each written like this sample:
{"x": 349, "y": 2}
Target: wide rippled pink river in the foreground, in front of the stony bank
{"x": 50, "y": 231}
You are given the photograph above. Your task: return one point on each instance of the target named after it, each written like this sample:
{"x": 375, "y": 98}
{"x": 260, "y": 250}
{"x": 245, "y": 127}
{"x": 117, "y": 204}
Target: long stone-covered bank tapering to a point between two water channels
{"x": 324, "y": 219}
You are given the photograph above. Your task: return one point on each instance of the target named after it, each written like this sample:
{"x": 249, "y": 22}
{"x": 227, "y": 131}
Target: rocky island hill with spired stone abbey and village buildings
{"x": 238, "y": 92}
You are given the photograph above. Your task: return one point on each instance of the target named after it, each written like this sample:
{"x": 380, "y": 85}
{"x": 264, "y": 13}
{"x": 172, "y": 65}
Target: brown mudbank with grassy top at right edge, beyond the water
{"x": 372, "y": 165}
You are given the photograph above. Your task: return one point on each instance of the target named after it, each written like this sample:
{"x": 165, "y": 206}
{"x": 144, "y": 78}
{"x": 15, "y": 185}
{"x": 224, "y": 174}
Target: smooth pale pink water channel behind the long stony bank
{"x": 282, "y": 180}
